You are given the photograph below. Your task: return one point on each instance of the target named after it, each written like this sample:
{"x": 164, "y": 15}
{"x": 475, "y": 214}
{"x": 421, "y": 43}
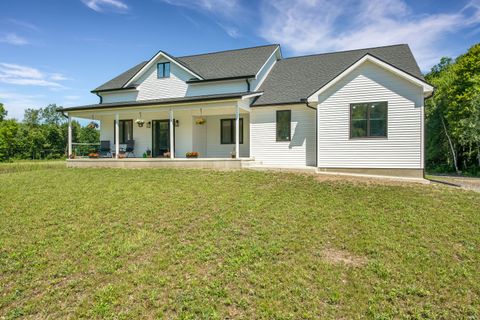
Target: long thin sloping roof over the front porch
{"x": 164, "y": 101}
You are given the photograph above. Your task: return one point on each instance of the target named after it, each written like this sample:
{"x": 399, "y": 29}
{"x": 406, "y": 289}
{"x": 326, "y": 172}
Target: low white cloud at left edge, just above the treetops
{"x": 23, "y": 75}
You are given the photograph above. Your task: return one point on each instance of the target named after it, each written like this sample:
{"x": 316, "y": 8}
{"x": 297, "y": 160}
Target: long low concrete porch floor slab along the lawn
{"x": 201, "y": 163}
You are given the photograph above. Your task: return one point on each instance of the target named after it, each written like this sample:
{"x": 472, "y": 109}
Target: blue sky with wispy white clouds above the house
{"x": 56, "y": 51}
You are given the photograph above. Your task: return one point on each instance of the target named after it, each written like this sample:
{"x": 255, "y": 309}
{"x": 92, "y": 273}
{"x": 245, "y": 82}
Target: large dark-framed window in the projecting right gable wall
{"x": 368, "y": 120}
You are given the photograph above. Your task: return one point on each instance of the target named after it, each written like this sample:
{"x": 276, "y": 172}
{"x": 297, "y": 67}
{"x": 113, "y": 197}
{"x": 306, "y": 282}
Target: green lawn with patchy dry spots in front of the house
{"x": 190, "y": 244}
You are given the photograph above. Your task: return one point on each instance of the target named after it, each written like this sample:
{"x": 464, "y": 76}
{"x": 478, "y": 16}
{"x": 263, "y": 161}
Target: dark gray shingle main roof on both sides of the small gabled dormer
{"x": 222, "y": 64}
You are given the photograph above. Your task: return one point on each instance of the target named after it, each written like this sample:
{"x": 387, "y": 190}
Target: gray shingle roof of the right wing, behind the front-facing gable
{"x": 296, "y": 78}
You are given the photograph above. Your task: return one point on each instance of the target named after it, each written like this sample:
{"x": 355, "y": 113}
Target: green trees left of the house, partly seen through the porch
{"x": 41, "y": 135}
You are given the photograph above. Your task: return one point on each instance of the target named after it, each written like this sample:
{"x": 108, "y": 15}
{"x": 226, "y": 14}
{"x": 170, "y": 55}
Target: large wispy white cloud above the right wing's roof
{"x": 315, "y": 26}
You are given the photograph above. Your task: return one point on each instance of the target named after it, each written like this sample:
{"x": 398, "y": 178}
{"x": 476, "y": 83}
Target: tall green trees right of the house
{"x": 453, "y": 115}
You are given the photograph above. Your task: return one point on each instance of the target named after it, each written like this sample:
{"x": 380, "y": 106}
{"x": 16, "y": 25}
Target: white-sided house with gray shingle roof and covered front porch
{"x": 357, "y": 111}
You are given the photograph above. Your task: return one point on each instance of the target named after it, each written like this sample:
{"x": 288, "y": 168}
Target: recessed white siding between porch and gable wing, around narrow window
{"x": 296, "y": 153}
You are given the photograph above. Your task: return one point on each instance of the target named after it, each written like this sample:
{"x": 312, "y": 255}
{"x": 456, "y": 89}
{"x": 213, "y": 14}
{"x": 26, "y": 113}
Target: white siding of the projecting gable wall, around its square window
{"x": 369, "y": 83}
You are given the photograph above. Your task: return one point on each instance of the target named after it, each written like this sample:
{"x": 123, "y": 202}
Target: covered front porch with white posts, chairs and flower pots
{"x": 191, "y": 134}
